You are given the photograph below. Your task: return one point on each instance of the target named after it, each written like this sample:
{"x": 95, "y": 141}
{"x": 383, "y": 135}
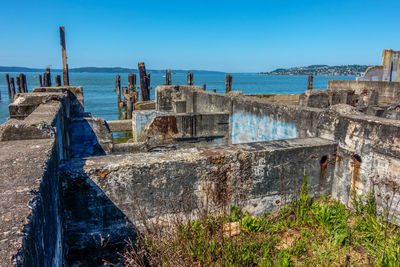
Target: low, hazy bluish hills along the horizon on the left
{"x": 99, "y": 70}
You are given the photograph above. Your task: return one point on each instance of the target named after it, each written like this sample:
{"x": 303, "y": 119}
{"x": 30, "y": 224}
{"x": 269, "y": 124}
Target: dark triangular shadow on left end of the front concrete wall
{"x": 95, "y": 229}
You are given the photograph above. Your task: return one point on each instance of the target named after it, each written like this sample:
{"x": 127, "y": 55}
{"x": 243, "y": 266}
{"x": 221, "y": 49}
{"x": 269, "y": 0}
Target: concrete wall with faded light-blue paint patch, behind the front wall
{"x": 252, "y": 119}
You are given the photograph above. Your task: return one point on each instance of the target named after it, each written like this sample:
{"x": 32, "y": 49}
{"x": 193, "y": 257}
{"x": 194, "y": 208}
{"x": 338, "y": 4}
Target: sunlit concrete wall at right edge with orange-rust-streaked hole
{"x": 373, "y": 141}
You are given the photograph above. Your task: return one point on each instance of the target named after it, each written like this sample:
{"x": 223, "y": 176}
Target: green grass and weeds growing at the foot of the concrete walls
{"x": 319, "y": 232}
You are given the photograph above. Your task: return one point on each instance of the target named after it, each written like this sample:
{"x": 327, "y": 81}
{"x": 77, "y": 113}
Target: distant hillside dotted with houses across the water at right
{"x": 344, "y": 70}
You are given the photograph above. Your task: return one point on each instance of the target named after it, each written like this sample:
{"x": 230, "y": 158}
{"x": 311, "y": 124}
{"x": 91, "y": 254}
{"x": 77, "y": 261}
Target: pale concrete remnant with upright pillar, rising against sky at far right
{"x": 388, "y": 71}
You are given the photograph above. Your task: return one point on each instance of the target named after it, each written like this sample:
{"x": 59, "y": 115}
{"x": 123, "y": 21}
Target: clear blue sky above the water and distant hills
{"x": 231, "y": 36}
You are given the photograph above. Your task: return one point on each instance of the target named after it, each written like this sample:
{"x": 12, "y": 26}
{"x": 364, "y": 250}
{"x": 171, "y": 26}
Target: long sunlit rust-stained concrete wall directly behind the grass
{"x": 261, "y": 176}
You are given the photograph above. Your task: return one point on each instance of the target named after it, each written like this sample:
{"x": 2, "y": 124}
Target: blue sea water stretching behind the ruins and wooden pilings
{"x": 101, "y": 99}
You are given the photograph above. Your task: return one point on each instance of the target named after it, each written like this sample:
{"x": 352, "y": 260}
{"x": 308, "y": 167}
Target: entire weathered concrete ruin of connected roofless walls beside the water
{"x": 68, "y": 191}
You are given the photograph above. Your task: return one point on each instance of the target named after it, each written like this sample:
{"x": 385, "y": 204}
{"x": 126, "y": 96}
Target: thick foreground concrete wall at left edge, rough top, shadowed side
{"x": 30, "y": 226}
